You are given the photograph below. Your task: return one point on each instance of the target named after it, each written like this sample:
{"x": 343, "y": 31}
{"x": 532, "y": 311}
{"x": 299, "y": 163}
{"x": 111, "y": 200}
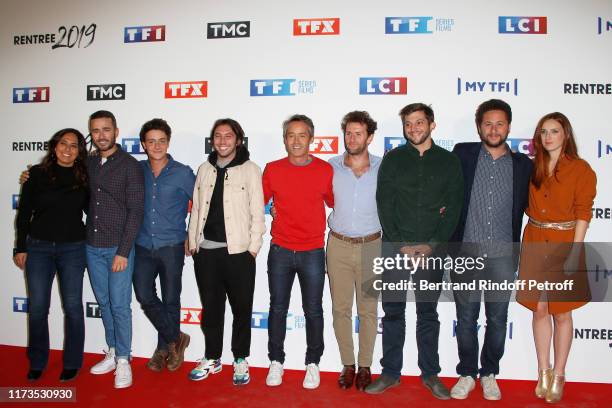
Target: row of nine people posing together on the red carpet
{"x": 415, "y": 200}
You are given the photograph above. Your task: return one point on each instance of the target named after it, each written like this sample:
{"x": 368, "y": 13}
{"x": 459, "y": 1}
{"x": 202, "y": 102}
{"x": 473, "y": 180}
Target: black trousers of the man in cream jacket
{"x": 220, "y": 275}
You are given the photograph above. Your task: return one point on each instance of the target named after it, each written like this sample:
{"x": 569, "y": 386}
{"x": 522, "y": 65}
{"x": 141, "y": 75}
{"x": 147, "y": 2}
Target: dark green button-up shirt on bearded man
{"x": 419, "y": 198}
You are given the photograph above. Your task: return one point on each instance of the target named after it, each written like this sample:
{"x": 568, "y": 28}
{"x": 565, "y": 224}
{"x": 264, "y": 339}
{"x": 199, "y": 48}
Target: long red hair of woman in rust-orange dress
{"x": 542, "y": 157}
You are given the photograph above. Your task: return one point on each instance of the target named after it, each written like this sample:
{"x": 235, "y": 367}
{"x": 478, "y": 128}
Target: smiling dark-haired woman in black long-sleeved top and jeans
{"x": 50, "y": 238}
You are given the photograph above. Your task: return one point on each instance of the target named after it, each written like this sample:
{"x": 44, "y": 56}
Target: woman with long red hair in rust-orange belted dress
{"x": 561, "y": 195}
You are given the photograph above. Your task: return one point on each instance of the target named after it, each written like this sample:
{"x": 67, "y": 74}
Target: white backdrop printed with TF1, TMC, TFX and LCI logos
{"x": 195, "y": 61}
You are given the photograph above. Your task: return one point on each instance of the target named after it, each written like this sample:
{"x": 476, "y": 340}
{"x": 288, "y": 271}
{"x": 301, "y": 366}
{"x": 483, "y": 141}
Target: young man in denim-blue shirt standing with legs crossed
{"x": 160, "y": 244}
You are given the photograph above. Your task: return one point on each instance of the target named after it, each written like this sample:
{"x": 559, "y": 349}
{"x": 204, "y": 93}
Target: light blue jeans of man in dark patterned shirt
{"x": 113, "y": 292}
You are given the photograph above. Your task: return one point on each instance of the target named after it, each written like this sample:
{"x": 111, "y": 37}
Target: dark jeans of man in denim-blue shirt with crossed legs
{"x": 165, "y": 314}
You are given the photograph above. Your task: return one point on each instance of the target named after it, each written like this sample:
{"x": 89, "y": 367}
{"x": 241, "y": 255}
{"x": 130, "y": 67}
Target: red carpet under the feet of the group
{"x": 175, "y": 390}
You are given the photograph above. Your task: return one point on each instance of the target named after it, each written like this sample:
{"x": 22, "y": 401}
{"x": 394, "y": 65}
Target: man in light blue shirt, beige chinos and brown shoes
{"x": 354, "y": 240}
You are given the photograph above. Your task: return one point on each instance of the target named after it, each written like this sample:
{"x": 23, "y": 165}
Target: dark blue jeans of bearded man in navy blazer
{"x": 467, "y": 304}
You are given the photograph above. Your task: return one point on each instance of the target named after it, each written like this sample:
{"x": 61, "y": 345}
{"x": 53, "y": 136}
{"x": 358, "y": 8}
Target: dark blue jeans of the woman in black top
{"x": 43, "y": 260}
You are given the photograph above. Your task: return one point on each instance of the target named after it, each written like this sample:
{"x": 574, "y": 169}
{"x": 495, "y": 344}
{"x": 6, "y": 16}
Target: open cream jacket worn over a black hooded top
{"x": 243, "y": 207}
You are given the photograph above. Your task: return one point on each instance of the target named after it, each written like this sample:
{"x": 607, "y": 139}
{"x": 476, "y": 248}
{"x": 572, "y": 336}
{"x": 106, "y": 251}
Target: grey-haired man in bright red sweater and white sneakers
{"x": 300, "y": 186}
